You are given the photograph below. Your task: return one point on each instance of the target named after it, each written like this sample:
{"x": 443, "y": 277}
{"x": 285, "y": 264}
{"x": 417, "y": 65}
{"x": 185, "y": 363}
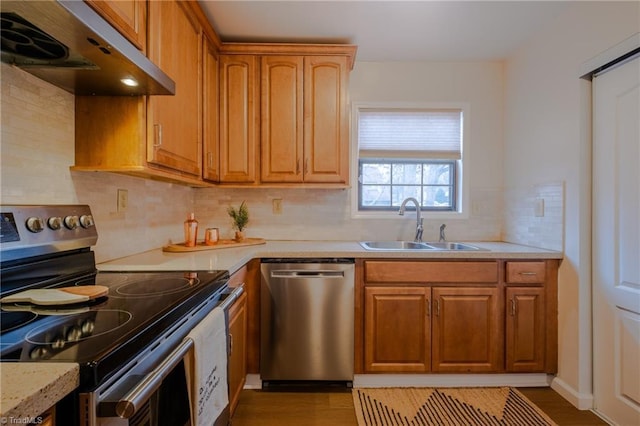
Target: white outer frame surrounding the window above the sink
{"x": 461, "y": 170}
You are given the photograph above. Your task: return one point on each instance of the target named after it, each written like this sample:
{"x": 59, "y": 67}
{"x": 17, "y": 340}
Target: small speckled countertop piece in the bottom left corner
{"x": 27, "y": 389}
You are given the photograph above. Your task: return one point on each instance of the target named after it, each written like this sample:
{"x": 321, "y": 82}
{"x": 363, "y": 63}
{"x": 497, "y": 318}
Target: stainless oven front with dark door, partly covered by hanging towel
{"x": 152, "y": 389}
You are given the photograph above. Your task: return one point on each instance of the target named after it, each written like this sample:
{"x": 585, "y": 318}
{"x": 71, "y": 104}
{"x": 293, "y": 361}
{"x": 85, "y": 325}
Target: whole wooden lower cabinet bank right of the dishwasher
{"x": 456, "y": 316}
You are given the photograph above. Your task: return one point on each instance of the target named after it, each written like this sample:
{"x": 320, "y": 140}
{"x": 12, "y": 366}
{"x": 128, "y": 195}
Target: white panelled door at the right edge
{"x": 616, "y": 243}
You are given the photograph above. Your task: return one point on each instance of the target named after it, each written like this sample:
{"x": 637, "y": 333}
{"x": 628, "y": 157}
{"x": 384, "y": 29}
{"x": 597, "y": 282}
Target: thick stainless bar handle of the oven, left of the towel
{"x": 136, "y": 397}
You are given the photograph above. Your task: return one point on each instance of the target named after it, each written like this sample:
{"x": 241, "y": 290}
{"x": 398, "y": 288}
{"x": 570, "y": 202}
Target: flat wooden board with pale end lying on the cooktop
{"x": 58, "y": 296}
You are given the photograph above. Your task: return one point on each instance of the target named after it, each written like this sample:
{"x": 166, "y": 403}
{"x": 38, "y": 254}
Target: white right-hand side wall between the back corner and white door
{"x": 547, "y": 140}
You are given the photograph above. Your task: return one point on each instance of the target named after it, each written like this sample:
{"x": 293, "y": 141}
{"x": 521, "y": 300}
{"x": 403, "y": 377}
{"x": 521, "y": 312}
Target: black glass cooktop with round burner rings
{"x": 107, "y": 332}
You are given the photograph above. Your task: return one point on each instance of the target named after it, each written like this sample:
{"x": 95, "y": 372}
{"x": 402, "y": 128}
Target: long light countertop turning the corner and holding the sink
{"x": 232, "y": 258}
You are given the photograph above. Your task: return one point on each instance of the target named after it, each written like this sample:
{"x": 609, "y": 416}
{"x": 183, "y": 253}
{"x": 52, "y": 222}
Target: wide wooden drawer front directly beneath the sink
{"x": 437, "y": 272}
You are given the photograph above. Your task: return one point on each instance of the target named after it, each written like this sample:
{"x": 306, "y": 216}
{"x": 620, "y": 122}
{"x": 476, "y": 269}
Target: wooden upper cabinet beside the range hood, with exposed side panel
{"x": 151, "y": 136}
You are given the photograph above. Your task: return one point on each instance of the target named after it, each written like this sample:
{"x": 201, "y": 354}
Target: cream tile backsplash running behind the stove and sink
{"x": 37, "y": 148}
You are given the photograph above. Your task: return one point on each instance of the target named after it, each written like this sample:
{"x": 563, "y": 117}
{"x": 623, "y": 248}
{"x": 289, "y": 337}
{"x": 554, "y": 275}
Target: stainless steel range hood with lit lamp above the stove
{"x": 69, "y": 45}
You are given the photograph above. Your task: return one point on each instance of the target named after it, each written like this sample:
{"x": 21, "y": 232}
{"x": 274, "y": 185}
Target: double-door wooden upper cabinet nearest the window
{"x": 304, "y": 121}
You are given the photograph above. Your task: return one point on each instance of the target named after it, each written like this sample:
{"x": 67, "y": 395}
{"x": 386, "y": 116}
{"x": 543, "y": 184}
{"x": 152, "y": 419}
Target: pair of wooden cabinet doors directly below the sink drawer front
{"x": 459, "y": 331}
